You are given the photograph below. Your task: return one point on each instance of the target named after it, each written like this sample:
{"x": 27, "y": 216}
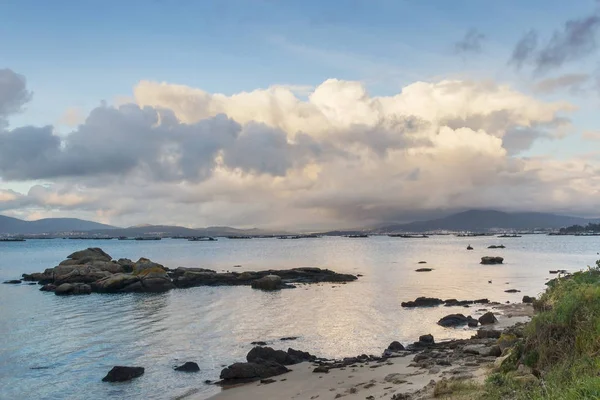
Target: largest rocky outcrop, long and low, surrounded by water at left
{"x": 93, "y": 270}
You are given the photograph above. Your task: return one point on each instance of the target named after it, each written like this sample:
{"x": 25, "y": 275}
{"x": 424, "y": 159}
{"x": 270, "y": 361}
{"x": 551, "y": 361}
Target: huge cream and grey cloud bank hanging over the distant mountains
{"x": 337, "y": 158}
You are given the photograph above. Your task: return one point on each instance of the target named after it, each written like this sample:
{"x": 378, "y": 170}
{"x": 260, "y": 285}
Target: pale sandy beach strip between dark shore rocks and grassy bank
{"x": 408, "y": 374}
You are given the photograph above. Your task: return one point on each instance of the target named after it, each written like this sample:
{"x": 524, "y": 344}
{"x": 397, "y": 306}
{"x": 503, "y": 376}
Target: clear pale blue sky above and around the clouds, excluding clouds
{"x": 79, "y": 54}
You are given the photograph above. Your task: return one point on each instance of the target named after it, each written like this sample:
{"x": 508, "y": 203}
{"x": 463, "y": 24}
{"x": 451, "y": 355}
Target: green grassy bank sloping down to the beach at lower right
{"x": 559, "y": 355}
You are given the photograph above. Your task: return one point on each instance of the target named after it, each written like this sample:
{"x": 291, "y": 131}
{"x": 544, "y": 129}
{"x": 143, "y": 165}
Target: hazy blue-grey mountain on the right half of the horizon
{"x": 485, "y": 220}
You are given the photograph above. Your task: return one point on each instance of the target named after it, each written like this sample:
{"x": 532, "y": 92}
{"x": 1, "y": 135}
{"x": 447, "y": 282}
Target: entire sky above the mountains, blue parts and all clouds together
{"x": 289, "y": 114}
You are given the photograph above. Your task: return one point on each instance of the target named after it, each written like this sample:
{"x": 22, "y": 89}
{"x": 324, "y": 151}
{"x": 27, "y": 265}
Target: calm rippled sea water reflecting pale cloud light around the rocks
{"x": 60, "y": 347}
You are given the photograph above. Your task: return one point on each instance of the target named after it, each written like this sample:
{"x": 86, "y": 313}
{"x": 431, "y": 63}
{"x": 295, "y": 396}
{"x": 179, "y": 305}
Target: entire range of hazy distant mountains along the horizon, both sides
{"x": 473, "y": 220}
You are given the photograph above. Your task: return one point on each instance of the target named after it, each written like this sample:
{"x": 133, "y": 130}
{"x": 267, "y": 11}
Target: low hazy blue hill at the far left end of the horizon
{"x": 15, "y": 226}
